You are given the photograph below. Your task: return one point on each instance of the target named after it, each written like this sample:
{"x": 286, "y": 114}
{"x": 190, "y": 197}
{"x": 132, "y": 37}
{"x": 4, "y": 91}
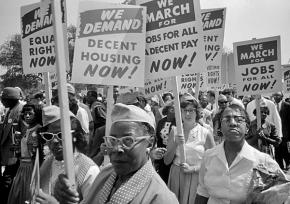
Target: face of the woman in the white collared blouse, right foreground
{"x": 233, "y": 125}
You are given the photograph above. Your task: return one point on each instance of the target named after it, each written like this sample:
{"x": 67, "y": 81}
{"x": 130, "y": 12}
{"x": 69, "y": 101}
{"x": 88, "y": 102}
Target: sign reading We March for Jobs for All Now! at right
{"x": 258, "y": 66}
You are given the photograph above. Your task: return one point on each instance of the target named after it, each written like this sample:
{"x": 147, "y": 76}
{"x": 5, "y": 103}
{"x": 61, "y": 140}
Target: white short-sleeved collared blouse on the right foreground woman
{"x": 224, "y": 184}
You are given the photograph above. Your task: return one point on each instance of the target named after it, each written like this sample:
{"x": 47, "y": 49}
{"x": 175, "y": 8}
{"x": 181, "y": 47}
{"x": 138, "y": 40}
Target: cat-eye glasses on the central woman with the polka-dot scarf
{"x": 127, "y": 141}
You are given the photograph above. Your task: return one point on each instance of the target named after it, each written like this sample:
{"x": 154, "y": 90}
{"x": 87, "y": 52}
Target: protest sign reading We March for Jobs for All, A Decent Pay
{"x": 174, "y": 40}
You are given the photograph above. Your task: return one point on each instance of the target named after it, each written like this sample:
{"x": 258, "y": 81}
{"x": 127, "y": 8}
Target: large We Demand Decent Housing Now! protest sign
{"x": 110, "y": 44}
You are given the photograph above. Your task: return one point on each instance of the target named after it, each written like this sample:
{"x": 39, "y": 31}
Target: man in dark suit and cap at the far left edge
{"x": 10, "y": 99}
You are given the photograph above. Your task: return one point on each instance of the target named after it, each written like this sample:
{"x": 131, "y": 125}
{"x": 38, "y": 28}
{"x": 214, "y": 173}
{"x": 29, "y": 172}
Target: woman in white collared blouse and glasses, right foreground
{"x": 226, "y": 170}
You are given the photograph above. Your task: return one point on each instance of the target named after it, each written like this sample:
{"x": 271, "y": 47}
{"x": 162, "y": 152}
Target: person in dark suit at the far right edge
{"x": 283, "y": 150}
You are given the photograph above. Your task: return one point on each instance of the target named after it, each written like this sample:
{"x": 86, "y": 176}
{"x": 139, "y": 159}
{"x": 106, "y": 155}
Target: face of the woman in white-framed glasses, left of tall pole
{"x": 55, "y": 145}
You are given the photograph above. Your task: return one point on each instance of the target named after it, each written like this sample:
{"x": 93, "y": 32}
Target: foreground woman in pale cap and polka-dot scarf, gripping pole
{"x": 130, "y": 178}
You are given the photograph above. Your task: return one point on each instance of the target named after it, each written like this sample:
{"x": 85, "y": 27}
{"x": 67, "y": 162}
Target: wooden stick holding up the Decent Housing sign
{"x": 108, "y": 119}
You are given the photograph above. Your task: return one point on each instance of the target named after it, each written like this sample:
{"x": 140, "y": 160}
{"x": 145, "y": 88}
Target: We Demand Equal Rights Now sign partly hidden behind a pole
{"x": 37, "y": 39}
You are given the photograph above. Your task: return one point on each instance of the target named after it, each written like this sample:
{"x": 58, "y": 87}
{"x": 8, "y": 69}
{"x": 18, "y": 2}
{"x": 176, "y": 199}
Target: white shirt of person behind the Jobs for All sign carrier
{"x": 273, "y": 117}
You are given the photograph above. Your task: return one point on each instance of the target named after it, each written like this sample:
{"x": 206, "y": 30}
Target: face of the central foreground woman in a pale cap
{"x": 126, "y": 161}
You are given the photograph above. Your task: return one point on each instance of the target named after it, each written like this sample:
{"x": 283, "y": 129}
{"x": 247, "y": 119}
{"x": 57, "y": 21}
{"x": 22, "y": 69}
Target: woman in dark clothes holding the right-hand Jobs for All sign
{"x": 266, "y": 137}
